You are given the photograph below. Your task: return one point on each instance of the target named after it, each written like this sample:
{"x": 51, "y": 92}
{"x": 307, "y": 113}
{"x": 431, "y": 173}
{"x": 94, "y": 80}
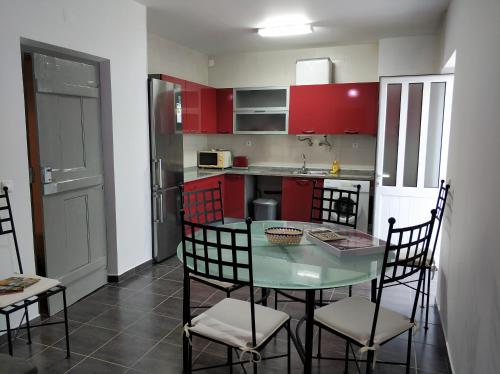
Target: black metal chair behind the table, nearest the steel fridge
{"x": 205, "y": 206}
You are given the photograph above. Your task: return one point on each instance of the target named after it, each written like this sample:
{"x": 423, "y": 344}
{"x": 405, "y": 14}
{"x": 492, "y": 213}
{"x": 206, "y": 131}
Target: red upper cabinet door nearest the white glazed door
{"x": 355, "y": 107}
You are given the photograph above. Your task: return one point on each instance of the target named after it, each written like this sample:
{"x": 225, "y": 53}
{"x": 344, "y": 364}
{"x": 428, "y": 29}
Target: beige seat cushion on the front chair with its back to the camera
{"x": 229, "y": 322}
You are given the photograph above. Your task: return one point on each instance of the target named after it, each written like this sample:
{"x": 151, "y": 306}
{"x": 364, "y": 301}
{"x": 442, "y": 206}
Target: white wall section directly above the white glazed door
{"x": 408, "y": 55}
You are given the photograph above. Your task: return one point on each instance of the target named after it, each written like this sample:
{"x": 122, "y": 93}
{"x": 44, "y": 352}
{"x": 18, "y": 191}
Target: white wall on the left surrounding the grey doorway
{"x": 114, "y": 30}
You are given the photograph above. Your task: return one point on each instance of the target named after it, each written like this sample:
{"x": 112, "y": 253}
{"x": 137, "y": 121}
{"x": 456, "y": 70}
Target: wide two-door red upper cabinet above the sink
{"x": 345, "y": 108}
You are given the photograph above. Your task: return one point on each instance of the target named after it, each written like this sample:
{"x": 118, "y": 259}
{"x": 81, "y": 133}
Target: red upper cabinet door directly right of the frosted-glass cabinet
{"x": 310, "y": 109}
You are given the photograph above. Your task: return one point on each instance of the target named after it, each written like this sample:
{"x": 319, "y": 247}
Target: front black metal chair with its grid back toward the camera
{"x": 224, "y": 254}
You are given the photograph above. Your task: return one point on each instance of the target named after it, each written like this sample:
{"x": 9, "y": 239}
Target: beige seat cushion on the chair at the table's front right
{"x": 353, "y": 317}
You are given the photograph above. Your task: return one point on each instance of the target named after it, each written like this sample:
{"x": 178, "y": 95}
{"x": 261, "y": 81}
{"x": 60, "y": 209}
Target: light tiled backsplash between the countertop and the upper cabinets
{"x": 352, "y": 151}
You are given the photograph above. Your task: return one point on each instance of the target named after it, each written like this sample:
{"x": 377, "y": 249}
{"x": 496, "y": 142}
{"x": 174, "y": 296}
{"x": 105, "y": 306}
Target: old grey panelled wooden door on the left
{"x": 69, "y": 135}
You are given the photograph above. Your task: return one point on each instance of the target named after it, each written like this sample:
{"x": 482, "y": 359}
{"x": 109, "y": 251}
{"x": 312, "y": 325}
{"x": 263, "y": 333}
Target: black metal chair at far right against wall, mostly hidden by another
{"x": 430, "y": 267}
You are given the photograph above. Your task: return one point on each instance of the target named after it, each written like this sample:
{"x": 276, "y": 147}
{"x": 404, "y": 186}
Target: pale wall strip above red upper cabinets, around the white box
{"x": 353, "y": 63}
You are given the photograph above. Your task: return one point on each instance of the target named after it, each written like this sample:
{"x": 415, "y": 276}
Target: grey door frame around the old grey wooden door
{"x": 28, "y": 48}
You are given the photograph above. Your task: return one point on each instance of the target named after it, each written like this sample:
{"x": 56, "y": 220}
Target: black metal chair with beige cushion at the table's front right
{"x": 367, "y": 324}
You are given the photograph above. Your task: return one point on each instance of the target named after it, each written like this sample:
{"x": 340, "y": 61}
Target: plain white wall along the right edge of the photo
{"x": 469, "y": 279}
